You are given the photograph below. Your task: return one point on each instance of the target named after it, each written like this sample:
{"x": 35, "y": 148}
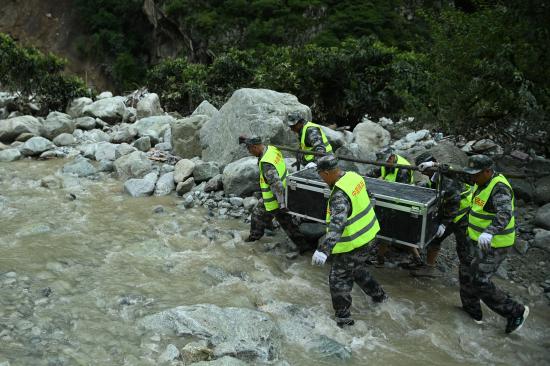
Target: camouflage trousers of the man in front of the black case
{"x": 346, "y": 269}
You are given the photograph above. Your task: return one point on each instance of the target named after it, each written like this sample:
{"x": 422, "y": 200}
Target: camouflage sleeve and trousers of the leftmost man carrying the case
{"x": 261, "y": 218}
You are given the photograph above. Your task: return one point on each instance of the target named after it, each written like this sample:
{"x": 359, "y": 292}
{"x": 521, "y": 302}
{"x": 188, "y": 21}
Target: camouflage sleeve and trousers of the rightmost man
{"x": 477, "y": 267}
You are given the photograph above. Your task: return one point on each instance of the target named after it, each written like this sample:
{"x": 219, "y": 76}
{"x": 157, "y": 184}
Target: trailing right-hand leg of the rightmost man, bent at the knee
{"x": 497, "y": 300}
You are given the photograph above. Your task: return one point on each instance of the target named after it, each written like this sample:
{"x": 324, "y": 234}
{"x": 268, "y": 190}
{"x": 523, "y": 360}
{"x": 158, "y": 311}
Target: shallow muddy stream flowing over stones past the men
{"x": 76, "y": 276}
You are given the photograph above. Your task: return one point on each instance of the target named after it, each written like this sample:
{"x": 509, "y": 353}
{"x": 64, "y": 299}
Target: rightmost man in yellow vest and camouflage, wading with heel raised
{"x": 491, "y": 235}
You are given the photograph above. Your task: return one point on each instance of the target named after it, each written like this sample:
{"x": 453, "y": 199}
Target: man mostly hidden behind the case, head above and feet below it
{"x": 388, "y": 155}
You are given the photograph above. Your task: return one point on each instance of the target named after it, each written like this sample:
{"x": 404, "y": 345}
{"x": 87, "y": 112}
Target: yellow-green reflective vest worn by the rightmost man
{"x": 479, "y": 219}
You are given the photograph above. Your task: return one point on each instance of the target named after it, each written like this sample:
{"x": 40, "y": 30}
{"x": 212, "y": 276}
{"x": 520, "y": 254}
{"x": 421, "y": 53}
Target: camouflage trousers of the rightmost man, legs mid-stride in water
{"x": 475, "y": 272}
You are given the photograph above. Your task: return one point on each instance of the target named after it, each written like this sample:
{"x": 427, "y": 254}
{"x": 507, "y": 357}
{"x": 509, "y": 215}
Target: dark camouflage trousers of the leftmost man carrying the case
{"x": 262, "y": 219}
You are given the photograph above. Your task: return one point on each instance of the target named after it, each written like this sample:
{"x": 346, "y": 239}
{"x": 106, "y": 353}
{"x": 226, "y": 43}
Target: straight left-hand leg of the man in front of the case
{"x": 341, "y": 283}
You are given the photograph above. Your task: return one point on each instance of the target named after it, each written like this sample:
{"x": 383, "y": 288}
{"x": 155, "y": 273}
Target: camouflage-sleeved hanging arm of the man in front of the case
{"x": 340, "y": 207}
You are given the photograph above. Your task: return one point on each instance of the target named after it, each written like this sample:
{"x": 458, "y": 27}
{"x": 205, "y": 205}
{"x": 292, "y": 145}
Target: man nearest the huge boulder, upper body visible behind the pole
{"x": 312, "y": 138}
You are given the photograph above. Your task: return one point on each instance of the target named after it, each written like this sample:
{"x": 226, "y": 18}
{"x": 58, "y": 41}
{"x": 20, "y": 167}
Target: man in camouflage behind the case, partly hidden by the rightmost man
{"x": 457, "y": 198}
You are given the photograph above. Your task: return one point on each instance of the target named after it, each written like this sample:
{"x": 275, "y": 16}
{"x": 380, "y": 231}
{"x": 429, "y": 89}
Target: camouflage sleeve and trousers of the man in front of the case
{"x": 349, "y": 267}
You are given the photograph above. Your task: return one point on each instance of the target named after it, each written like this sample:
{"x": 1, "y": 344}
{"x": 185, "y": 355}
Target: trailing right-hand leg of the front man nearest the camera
{"x": 362, "y": 277}
